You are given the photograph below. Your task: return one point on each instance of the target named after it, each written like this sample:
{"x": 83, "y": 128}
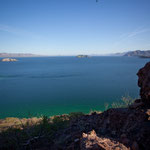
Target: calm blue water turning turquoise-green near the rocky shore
{"x": 58, "y": 85}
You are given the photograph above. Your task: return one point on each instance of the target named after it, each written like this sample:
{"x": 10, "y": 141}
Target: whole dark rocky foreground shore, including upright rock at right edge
{"x": 114, "y": 129}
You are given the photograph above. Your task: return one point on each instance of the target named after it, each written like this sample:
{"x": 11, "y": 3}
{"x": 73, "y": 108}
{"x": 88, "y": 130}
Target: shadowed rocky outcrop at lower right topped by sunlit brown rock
{"x": 121, "y": 128}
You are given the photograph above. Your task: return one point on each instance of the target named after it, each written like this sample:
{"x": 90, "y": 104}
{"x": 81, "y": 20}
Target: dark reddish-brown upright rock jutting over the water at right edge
{"x": 144, "y": 83}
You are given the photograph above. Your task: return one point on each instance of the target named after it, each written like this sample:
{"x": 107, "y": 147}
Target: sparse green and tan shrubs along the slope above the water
{"x": 16, "y": 133}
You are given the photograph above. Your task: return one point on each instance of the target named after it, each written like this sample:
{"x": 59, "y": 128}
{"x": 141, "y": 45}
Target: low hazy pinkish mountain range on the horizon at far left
{"x": 19, "y": 55}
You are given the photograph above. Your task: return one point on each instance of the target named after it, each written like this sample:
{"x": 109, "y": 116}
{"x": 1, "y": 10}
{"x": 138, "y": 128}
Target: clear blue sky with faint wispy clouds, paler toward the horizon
{"x": 71, "y": 27}
